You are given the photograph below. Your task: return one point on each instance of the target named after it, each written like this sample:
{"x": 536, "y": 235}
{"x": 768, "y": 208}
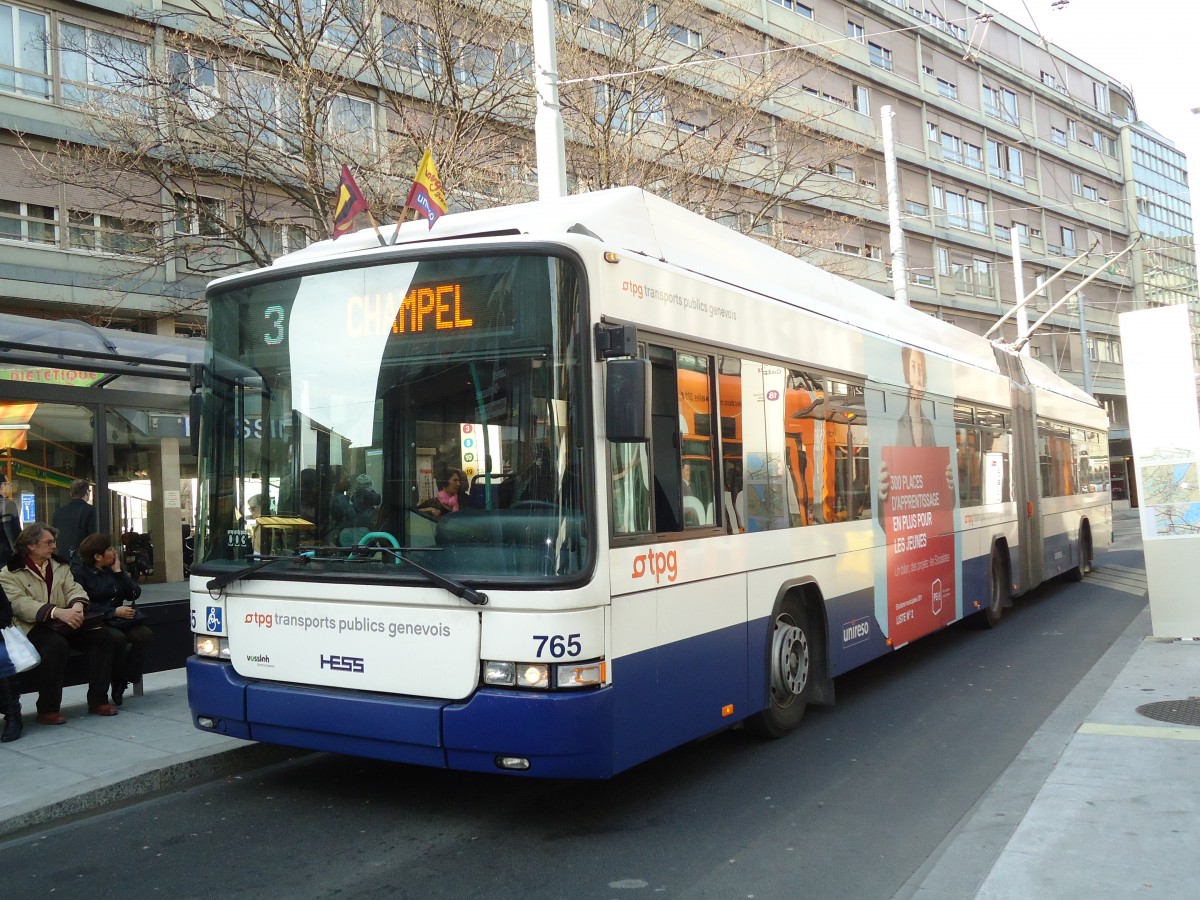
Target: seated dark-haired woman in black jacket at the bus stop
{"x": 98, "y": 569}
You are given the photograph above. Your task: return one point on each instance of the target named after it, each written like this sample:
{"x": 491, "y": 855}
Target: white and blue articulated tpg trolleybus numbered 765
{"x": 556, "y": 488}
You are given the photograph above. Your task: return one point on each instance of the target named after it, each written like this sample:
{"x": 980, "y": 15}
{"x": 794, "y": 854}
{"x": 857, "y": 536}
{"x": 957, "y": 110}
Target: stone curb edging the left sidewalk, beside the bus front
{"x": 142, "y": 782}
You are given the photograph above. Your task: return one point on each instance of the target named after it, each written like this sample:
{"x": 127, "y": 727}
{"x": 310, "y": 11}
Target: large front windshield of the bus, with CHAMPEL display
{"x": 431, "y": 407}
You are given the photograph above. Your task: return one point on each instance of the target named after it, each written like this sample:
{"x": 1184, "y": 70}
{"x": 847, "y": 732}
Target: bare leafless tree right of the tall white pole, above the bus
{"x": 707, "y": 112}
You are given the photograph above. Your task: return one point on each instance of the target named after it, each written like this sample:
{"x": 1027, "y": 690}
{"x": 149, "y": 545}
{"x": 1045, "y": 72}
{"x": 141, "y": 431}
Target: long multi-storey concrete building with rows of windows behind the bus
{"x": 998, "y": 136}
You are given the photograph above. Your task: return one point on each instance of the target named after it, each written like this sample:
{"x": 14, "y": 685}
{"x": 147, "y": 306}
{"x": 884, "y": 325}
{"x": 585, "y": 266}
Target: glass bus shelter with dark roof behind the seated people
{"x": 111, "y": 407}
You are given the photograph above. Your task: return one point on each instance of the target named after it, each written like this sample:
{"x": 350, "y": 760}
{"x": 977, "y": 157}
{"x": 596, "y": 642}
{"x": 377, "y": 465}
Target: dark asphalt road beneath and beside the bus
{"x": 849, "y": 807}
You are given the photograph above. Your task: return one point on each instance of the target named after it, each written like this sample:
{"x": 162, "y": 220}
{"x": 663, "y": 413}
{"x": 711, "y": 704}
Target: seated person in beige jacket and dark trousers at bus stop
{"x": 50, "y": 607}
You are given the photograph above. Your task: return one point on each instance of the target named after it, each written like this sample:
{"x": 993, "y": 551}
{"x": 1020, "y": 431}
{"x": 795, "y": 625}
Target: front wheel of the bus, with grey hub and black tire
{"x": 790, "y": 668}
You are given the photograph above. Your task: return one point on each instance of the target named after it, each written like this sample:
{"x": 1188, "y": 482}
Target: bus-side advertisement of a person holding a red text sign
{"x": 917, "y": 592}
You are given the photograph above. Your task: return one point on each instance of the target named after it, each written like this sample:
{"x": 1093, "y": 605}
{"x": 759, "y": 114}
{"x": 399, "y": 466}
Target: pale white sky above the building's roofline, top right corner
{"x": 1150, "y": 46}
